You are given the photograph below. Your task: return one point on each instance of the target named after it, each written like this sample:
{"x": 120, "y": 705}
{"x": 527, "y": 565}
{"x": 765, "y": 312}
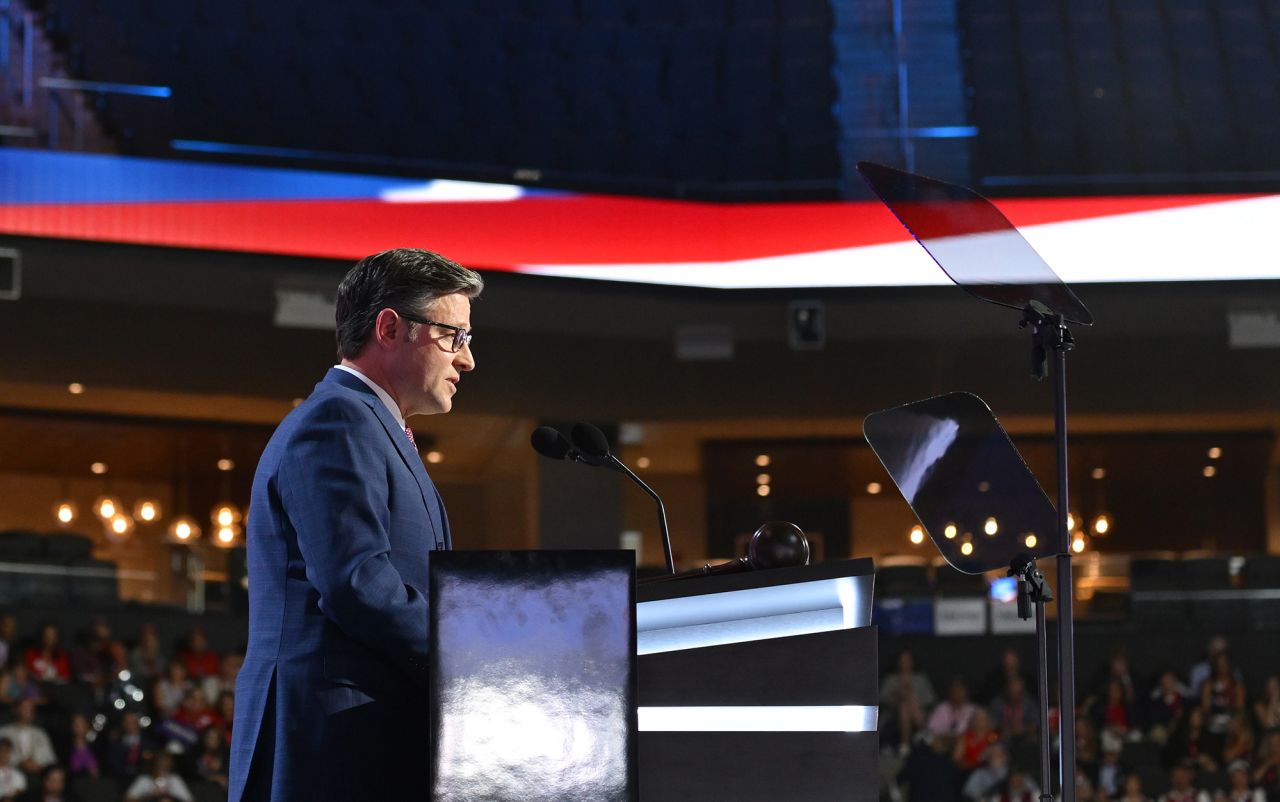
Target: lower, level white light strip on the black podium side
{"x": 761, "y": 719}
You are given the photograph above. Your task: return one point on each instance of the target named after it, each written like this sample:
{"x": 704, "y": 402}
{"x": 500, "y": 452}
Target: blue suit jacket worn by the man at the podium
{"x": 332, "y": 700}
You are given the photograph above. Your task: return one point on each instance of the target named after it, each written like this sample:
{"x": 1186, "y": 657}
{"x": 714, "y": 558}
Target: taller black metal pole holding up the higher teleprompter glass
{"x": 1066, "y": 626}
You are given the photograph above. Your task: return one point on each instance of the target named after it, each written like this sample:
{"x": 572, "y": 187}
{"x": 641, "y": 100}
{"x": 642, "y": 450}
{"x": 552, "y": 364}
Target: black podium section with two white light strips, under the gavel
{"x": 760, "y": 686}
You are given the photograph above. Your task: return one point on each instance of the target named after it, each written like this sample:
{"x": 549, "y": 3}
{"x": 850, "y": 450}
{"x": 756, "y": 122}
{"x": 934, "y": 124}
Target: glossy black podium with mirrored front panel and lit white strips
{"x": 555, "y": 679}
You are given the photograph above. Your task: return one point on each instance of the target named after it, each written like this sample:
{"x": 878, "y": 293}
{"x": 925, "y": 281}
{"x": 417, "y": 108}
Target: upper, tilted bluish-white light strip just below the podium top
{"x": 756, "y": 615}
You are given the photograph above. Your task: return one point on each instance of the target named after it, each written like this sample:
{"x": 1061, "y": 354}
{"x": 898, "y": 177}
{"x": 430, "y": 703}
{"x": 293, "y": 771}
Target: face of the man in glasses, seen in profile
{"x": 426, "y": 372}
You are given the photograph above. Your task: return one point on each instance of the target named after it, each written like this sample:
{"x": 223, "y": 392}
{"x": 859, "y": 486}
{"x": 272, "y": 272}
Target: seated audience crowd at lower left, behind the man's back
{"x": 98, "y": 721}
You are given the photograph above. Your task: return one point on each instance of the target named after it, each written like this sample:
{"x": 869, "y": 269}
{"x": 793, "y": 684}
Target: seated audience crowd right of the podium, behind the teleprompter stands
{"x": 1194, "y": 734}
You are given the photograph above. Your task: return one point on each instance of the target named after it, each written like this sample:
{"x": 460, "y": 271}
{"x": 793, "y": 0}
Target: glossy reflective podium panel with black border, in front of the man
{"x": 533, "y": 676}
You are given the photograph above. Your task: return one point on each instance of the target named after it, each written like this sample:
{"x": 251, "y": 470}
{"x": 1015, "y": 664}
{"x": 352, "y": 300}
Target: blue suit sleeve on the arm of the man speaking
{"x": 335, "y": 487}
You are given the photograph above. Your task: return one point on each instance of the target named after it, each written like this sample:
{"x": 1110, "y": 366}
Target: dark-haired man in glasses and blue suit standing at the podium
{"x": 331, "y": 702}
